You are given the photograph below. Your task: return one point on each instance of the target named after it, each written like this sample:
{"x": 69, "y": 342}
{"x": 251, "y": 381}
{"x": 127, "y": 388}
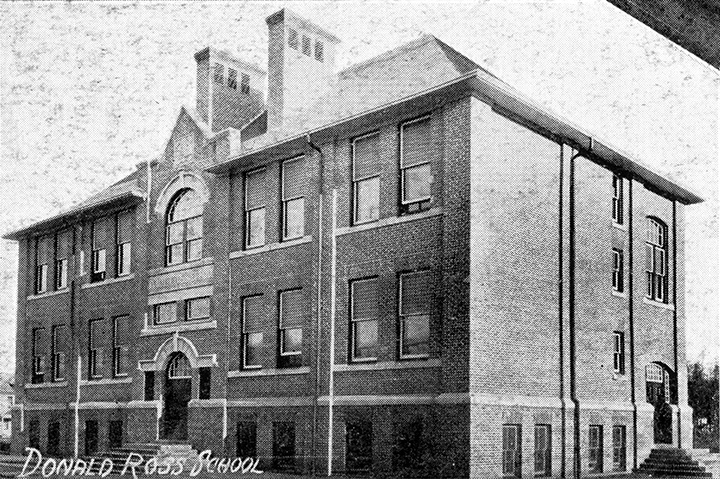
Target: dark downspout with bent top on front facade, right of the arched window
{"x": 321, "y": 165}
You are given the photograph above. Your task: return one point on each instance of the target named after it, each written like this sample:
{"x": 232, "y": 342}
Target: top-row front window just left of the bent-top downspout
{"x": 293, "y": 199}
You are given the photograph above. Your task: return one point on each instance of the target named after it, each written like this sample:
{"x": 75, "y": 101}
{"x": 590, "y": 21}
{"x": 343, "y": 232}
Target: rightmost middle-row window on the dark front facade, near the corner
{"x": 414, "y": 299}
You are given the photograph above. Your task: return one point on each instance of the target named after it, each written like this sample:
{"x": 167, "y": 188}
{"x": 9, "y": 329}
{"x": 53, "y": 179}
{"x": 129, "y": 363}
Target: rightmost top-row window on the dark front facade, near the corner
{"x": 415, "y": 175}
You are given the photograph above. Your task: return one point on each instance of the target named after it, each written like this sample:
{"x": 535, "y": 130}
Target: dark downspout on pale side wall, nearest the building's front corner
{"x": 571, "y": 318}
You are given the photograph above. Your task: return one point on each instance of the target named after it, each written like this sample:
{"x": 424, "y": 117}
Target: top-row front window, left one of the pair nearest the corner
{"x": 366, "y": 178}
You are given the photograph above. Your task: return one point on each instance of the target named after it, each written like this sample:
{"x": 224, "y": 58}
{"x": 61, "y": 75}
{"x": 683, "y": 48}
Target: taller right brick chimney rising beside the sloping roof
{"x": 301, "y": 67}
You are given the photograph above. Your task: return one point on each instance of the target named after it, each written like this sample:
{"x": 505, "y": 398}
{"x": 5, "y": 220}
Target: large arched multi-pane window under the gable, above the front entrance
{"x": 183, "y": 232}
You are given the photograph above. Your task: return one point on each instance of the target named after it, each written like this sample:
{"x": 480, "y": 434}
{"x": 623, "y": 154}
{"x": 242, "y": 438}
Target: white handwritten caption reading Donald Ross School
{"x": 135, "y": 464}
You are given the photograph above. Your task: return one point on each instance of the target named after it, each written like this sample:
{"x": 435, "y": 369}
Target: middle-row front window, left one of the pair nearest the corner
{"x": 363, "y": 319}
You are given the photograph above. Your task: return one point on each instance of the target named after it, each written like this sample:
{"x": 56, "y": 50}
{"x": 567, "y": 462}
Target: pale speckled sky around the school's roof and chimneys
{"x": 89, "y": 89}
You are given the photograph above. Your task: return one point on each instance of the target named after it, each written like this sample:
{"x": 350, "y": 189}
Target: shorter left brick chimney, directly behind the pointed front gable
{"x": 230, "y": 91}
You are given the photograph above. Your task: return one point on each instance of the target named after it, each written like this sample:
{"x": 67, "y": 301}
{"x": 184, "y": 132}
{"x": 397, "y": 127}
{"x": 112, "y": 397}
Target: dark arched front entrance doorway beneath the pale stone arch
{"x": 177, "y": 393}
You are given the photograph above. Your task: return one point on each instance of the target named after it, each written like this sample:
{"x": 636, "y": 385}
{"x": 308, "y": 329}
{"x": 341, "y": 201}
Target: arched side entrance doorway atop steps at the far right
{"x": 660, "y": 389}
